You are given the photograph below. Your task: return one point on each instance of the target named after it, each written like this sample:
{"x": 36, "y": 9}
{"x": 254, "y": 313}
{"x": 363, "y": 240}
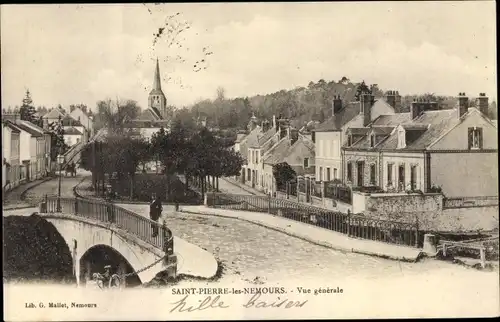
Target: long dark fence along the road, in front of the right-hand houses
{"x": 357, "y": 226}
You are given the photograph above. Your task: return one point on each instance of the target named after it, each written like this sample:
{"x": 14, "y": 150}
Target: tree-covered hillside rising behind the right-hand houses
{"x": 301, "y": 104}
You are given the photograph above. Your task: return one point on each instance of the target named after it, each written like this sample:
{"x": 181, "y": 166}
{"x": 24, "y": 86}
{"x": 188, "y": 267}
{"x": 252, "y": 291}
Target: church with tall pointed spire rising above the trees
{"x": 155, "y": 117}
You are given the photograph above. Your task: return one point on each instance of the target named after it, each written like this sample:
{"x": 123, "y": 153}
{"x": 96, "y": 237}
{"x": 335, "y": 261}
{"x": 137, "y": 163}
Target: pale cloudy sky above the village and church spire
{"x": 72, "y": 54}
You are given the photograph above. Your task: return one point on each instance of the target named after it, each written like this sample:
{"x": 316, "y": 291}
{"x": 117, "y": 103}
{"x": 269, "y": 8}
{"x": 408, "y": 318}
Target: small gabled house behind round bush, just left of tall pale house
{"x": 293, "y": 148}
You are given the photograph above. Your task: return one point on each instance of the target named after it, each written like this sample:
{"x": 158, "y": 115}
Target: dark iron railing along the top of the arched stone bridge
{"x": 106, "y": 212}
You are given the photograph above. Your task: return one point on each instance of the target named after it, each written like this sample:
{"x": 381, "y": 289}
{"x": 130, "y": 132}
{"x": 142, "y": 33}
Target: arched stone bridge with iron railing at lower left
{"x": 99, "y": 233}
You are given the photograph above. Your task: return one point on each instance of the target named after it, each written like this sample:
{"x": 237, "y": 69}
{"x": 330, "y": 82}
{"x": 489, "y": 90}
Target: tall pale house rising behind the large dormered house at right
{"x": 331, "y": 134}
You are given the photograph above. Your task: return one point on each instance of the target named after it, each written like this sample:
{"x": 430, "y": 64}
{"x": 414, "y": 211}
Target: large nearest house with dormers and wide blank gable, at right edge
{"x": 455, "y": 149}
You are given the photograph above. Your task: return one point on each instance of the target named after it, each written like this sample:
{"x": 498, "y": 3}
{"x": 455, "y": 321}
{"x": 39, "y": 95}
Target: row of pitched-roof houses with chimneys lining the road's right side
{"x": 370, "y": 143}
